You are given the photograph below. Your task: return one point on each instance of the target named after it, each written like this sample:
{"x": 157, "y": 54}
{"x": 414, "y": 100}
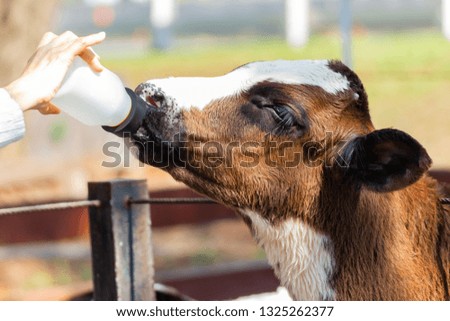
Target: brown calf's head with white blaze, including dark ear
{"x": 263, "y": 136}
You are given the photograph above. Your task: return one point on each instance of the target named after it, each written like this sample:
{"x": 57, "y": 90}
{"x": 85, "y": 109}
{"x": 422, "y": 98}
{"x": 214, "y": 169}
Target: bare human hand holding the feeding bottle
{"x": 47, "y": 67}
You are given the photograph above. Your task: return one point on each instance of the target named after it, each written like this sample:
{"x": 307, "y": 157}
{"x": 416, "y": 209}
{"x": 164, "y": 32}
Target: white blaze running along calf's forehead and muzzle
{"x": 200, "y": 91}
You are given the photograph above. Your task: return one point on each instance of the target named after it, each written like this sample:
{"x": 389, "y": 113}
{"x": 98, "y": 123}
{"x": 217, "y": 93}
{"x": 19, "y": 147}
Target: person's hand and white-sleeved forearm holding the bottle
{"x": 41, "y": 79}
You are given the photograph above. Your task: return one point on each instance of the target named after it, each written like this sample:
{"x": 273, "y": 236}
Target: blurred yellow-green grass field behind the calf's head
{"x": 406, "y": 75}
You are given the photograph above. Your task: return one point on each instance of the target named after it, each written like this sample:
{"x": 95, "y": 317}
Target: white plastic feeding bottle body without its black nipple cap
{"x": 93, "y": 98}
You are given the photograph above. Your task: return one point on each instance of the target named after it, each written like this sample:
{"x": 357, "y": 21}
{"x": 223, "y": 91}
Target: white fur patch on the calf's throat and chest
{"x": 298, "y": 255}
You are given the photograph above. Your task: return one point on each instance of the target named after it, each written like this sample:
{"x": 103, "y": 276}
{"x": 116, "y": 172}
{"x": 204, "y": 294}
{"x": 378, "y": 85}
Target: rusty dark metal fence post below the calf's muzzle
{"x": 122, "y": 257}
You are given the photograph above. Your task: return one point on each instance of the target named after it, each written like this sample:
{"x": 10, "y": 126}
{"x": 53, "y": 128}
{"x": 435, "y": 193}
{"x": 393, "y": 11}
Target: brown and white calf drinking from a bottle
{"x": 343, "y": 211}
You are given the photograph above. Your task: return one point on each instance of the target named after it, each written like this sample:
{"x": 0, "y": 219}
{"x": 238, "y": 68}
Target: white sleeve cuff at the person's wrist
{"x": 12, "y": 125}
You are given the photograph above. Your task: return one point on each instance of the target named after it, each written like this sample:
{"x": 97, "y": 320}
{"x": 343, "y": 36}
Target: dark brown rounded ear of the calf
{"x": 386, "y": 160}
